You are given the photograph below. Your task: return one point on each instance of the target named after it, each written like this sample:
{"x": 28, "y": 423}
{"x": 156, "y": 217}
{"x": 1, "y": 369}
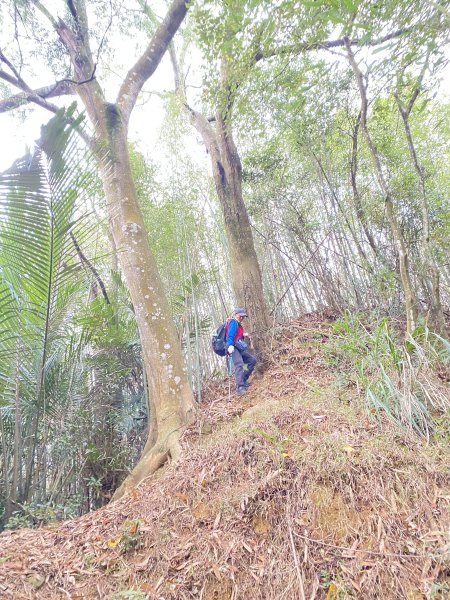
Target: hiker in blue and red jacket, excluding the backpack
{"x": 237, "y": 350}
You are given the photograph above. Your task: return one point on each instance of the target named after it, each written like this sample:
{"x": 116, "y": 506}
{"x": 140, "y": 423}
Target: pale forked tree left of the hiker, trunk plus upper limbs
{"x": 171, "y": 399}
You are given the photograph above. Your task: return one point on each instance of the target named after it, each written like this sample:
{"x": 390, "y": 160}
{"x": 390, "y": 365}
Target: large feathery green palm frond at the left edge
{"x": 42, "y": 199}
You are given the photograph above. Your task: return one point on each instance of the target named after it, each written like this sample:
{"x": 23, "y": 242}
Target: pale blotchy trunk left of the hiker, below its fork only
{"x": 170, "y": 395}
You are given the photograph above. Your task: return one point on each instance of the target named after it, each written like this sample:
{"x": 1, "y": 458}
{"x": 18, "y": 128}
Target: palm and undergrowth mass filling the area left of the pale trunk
{"x": 79, "y": 367}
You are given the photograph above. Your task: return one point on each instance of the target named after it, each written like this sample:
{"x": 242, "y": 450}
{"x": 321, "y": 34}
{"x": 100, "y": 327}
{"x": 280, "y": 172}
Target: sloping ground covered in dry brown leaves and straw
{"x": 290, "y": 492}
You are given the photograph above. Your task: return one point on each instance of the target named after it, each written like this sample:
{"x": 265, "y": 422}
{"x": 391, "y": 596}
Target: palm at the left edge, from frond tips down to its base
{"x": 42, "y": 197}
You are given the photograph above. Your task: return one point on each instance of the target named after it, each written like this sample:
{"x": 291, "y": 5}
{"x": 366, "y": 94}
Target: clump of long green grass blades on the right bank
{"x": 398, "y": 377}
